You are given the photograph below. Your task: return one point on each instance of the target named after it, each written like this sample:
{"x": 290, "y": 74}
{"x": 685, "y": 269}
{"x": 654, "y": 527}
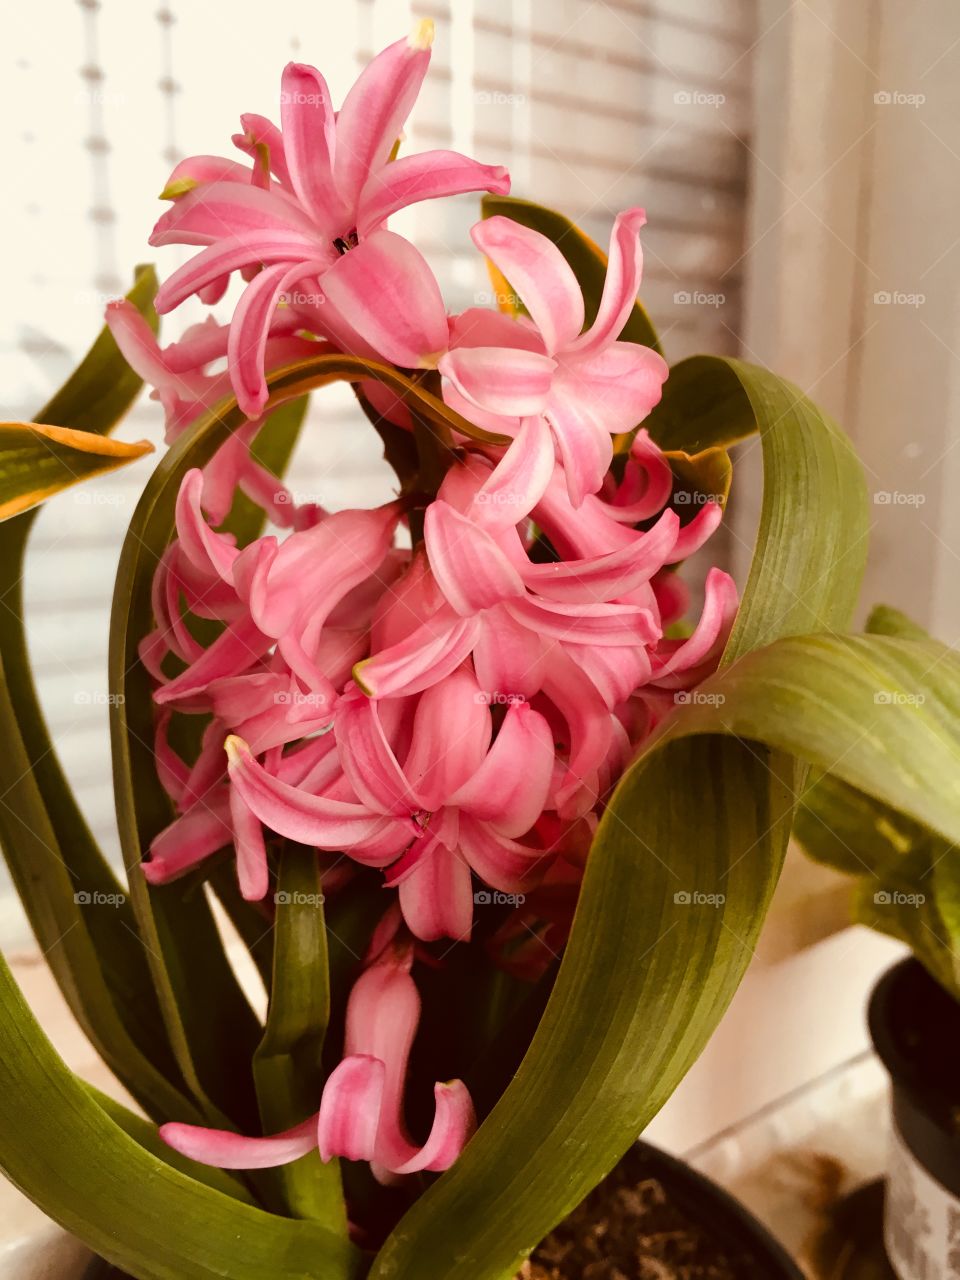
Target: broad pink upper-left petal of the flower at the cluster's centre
{"x": 472, "y": 570}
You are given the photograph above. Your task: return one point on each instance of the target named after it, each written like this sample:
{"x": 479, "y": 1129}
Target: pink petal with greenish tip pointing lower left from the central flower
{"x": 429, "y": 653}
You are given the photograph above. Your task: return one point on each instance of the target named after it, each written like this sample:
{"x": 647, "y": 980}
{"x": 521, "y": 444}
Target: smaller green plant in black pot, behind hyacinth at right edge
{"x": 906, "y": 877}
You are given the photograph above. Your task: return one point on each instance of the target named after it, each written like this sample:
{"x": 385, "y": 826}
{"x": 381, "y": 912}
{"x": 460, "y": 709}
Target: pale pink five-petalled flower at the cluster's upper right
{"x": 587, "y": 386}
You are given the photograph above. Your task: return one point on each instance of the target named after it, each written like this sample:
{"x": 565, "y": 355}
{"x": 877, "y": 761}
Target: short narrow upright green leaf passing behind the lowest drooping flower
{"x": 289, "y": 1064}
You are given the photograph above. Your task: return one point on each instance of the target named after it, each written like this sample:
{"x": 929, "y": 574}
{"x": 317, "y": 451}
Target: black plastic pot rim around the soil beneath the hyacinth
{"x": 717, "y": 1217}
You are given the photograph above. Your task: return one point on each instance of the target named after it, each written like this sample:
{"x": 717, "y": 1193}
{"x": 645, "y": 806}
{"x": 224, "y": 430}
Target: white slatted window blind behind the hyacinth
{"x": 592, "y": 106}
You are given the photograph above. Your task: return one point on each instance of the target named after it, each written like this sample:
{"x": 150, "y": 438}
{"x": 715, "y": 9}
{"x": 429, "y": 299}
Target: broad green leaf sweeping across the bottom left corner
{"x": 63, "y": 1151}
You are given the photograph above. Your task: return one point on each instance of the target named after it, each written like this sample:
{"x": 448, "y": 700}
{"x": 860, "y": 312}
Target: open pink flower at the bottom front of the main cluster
{"x": 468, "y": 799}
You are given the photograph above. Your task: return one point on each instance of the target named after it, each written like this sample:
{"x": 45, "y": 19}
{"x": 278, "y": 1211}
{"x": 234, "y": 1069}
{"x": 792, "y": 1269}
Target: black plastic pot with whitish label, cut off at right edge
{"x": 916, "y": 1028}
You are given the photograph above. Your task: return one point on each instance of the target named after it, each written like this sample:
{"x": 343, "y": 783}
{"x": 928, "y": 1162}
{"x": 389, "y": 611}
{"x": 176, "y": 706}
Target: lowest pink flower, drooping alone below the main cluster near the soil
{"x": 362, "y": 1110}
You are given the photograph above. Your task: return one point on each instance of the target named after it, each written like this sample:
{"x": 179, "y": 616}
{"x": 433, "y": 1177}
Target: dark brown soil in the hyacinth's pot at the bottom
{"x": 637, "y": 1226}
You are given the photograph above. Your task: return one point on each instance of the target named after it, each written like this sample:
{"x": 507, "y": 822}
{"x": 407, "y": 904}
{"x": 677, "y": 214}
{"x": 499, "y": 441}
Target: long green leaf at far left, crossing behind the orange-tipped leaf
{"x": 93, "y": 948}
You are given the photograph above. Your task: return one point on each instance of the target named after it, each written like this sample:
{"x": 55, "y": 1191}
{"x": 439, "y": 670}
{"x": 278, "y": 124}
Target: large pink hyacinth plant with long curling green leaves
{"x": 497, "y": 828}
